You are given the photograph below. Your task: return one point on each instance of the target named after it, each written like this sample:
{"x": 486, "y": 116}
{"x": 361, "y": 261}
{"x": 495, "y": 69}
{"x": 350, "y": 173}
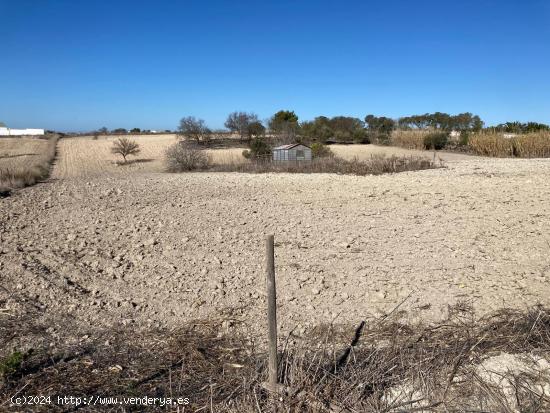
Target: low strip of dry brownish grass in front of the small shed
{"x": 375, "y": 165}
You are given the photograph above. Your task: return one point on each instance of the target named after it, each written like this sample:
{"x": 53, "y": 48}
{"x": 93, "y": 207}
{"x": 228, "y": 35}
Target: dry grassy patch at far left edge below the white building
{"x": 25, "y": 161}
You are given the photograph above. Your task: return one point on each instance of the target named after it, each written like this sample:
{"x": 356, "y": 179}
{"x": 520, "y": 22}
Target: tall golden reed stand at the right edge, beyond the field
{"x": 531, "y": 145}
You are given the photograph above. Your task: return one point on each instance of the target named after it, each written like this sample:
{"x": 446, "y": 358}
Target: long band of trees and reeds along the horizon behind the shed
{"x": 464, "y": 132}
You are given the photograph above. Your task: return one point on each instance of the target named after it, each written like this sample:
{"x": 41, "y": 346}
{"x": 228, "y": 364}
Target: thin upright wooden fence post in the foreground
{"x": 271, "y": 312}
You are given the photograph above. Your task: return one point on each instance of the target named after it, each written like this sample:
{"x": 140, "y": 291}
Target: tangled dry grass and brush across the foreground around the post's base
{"x": 382, "y": 366}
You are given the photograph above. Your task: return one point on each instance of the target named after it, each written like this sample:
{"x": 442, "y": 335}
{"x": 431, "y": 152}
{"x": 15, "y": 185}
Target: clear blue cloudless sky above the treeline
{"x": 81, "y": 65}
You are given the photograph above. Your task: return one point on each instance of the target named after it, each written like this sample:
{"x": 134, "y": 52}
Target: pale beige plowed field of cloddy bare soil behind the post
{"x": 106, "y": 244}
